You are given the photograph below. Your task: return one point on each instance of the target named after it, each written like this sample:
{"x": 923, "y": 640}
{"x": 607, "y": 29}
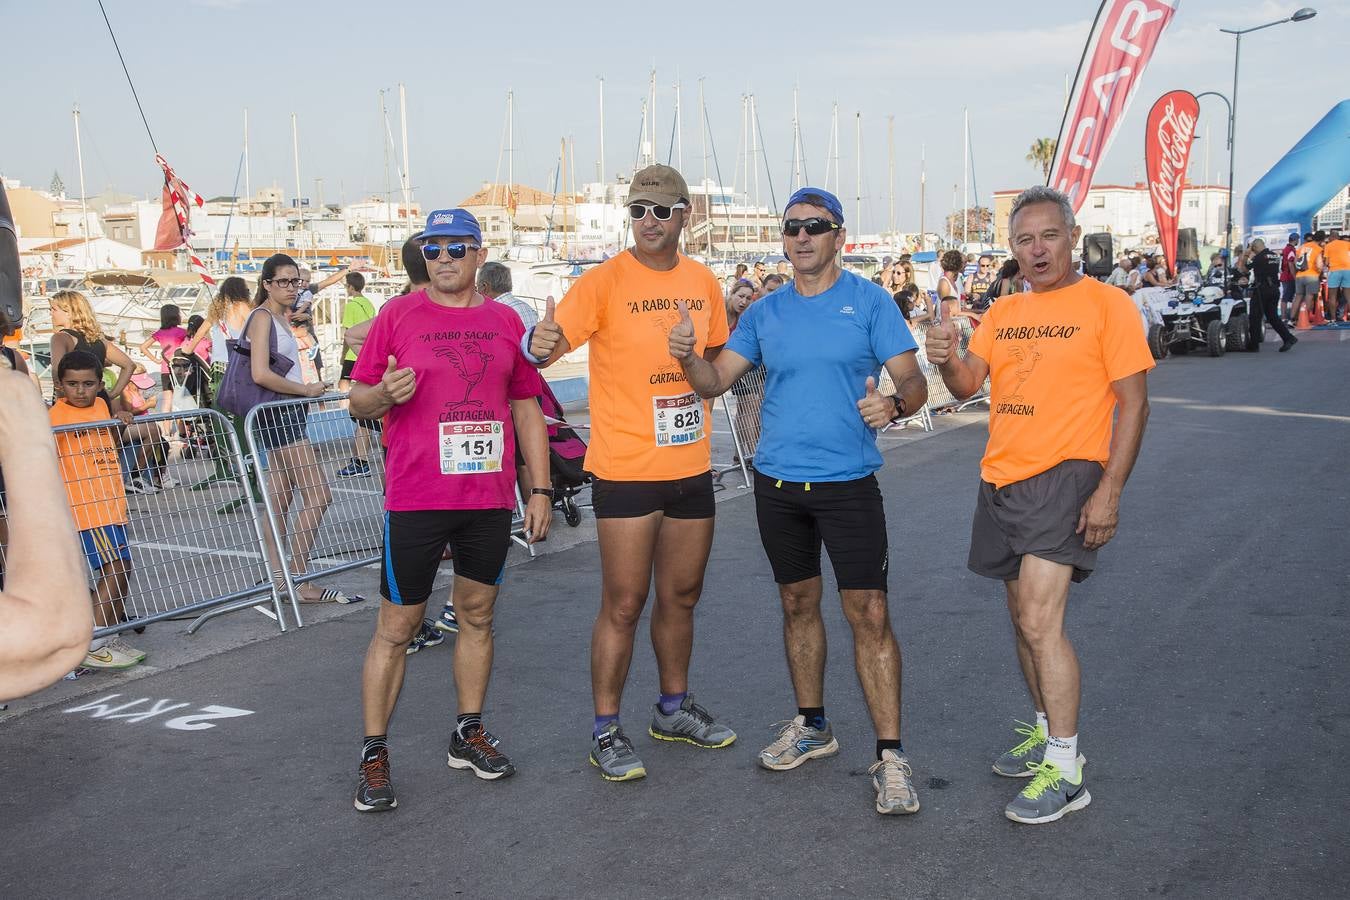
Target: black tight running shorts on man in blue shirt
{"x": 850, "y": 519}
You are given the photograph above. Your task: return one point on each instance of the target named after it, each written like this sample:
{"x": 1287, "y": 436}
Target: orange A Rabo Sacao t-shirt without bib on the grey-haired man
{"x": 1052, "y": 360}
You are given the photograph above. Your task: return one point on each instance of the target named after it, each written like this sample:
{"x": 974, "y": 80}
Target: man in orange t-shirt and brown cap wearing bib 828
{"x": 650, "y": 453}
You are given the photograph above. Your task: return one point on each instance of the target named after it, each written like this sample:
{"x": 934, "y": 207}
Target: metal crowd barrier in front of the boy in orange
{"x": 192, "y": 535}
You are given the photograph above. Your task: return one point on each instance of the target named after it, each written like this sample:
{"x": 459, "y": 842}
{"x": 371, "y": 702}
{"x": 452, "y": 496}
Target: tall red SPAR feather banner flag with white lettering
{"x": 1120, "y": 48}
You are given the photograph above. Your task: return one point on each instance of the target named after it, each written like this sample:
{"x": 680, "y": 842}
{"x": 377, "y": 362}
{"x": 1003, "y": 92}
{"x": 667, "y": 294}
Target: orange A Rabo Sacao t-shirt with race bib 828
{"x": 647, "y": 423}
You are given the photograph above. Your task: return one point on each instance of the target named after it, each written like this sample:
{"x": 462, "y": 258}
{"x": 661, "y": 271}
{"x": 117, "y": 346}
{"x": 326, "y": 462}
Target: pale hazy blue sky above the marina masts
{"x": 199, "y": 64}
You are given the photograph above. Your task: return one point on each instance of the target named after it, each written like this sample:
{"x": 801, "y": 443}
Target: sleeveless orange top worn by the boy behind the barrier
{"x": 90, "y": 466}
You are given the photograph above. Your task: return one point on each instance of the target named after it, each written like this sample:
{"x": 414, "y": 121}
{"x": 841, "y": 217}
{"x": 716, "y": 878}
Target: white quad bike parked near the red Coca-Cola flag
{"x": 1195, "y": 318}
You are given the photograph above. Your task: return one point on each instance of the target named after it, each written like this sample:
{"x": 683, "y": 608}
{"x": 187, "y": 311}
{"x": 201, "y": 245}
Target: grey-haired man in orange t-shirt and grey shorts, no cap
{"x": 1062, "y": 360}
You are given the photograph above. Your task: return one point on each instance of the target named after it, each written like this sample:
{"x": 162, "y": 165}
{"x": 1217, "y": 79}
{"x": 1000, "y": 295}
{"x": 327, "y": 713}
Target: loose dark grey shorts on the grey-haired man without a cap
{"x": 1039, "y": 516}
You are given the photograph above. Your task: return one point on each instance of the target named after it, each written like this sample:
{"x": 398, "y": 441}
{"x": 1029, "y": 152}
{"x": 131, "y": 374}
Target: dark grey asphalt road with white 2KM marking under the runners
{"x": 1216, "y": 719}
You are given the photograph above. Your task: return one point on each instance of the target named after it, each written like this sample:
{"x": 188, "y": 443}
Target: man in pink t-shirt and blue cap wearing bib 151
{"x": 443, "y": 366}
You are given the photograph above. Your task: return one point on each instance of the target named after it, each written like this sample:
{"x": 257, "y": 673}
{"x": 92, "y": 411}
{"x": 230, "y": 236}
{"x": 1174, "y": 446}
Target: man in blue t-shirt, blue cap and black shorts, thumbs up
{"x": 823, "y": 342}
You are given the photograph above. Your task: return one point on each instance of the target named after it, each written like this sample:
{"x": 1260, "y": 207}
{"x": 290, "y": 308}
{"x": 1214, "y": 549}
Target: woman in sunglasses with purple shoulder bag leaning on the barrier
{"x": 291, "y": 463}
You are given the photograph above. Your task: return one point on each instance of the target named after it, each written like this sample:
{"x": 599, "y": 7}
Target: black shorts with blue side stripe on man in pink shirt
{"x": 415, "y": 540}
